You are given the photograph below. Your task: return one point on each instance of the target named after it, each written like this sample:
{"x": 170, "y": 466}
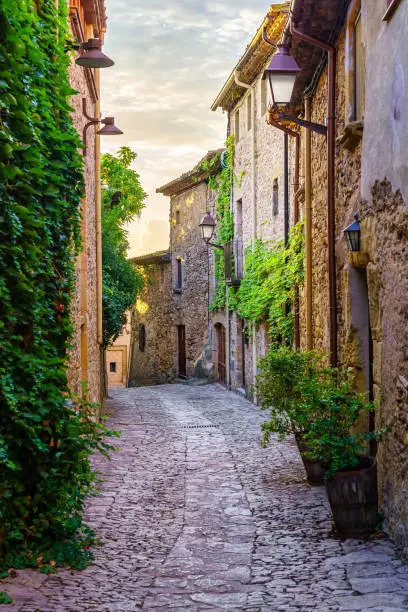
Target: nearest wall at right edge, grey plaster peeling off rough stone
{"x": 384, "y": 230}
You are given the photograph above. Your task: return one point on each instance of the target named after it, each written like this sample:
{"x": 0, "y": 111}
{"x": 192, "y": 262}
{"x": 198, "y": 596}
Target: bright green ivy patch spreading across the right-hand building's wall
{"x": 266, "y": 292}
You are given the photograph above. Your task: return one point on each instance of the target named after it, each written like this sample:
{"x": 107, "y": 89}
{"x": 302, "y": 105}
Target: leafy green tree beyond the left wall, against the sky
{"x": 122, "y": 200}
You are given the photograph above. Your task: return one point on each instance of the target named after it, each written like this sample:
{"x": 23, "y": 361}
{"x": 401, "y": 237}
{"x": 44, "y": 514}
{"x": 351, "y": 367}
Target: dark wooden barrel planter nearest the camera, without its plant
{"x": 353, "y": 499}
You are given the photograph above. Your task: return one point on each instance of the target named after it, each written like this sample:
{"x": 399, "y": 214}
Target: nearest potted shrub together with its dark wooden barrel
{"x": 351, "y": 475}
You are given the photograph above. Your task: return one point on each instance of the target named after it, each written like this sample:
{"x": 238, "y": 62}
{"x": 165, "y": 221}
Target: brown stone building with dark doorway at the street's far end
{"x": 170, "y": 320}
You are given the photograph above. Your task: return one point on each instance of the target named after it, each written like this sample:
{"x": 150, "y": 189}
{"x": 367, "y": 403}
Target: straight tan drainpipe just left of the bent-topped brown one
{"x": 308, "y": 229}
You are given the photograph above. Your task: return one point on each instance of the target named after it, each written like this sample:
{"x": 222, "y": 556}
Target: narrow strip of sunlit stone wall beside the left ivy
{"x": 85, "y": 354}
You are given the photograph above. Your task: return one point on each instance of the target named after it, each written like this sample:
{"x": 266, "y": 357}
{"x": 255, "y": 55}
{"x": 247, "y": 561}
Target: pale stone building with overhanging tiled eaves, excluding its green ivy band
{"x": 258, "y": 198}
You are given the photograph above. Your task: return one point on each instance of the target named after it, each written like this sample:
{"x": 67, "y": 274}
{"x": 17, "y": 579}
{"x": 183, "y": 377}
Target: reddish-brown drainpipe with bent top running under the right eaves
{"x": 331, "y": 107}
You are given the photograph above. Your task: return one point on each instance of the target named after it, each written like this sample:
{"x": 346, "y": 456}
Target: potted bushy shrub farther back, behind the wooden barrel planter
{"x": 289, "y": 385}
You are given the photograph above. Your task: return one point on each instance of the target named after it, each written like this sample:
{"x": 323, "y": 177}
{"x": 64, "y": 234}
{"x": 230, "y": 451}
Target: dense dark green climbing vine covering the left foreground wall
{"x": 45, "y": 439}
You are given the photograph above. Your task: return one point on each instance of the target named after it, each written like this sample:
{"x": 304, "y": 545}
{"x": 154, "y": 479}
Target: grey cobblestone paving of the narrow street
{"x": 195, "y": 515}
